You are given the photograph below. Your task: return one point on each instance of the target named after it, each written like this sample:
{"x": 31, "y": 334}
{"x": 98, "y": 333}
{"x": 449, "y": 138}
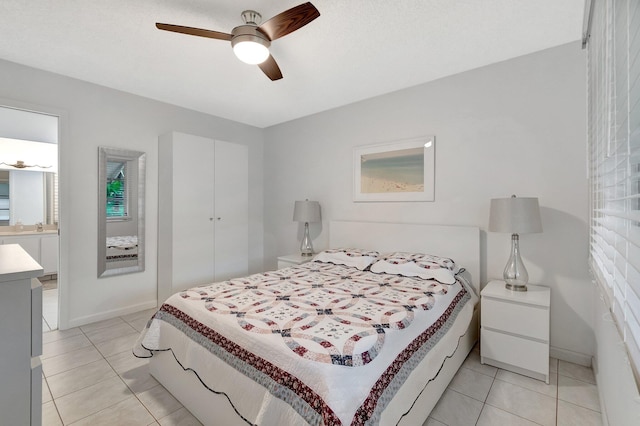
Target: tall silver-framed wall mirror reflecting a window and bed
{"x": 121, "y": 181}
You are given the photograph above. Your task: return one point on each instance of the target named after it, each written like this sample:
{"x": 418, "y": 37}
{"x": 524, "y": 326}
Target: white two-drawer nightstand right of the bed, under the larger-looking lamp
{"x": 515, "y": 329}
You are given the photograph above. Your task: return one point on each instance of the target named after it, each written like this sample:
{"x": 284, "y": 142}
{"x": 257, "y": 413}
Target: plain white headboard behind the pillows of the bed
{"x": 460, "y": 243}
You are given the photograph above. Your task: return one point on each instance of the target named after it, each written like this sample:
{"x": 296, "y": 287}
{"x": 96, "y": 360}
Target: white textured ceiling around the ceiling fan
{"x": 355, "y": 50}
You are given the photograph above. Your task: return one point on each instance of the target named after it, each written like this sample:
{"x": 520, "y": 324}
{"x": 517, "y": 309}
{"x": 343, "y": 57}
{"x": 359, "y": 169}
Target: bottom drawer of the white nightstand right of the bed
{"x": 527, "y": 354}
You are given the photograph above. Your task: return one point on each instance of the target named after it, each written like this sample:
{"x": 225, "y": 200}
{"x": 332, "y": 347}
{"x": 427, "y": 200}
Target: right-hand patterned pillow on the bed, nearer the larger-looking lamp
{"x": 419, "y": 265}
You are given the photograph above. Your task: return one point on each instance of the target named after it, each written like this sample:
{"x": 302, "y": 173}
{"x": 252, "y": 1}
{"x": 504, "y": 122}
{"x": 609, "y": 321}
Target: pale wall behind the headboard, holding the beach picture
{"x": 516, "y": 127}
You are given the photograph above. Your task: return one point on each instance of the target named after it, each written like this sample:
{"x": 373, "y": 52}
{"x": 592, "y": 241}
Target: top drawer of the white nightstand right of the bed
{"x": 525, "y": 320}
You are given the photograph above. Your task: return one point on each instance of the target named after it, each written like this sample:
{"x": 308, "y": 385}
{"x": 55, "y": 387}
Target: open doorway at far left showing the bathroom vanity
{"x": 29, "y": 173}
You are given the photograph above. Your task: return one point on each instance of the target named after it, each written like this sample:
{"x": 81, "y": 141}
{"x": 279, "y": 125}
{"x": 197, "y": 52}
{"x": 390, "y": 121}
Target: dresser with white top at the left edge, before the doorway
{"x": 21, "y": 337}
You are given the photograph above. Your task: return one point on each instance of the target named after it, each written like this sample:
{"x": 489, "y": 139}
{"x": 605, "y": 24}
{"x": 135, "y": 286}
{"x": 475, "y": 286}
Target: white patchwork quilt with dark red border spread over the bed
{"x": 314, "y": 344}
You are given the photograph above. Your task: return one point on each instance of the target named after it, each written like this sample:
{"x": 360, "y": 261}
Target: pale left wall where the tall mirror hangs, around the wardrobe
{"x": 95, "y": 116}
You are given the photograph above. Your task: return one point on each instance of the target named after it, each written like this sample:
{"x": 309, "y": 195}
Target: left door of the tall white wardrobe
{"x": 193, "y": 211}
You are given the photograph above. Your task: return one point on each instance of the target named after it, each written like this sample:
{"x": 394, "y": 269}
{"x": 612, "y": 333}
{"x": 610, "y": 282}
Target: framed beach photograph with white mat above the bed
{"x": 395, "y": 171}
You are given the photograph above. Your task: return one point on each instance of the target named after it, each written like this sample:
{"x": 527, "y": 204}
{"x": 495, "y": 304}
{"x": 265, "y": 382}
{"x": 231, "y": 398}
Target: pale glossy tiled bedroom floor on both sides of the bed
{"x": 91, "y": 378}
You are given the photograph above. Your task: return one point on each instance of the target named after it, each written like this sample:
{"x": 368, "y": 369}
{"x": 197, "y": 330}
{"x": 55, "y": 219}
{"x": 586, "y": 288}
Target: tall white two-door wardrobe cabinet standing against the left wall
{"x": 203, "y": 211}
